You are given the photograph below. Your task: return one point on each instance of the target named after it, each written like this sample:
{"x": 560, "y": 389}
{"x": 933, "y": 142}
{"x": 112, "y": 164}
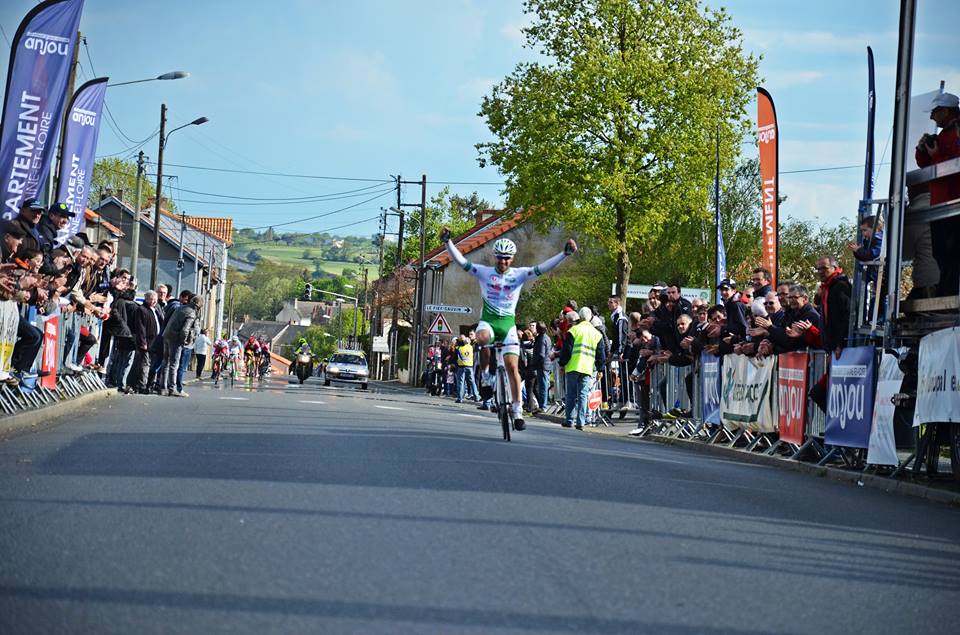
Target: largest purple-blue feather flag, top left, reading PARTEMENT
{"x": 39, "y": 70}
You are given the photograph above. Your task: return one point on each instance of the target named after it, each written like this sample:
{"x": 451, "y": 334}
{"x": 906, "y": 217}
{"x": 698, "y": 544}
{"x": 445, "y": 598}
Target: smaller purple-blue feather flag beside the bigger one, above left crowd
{"x": 79, "y": 152}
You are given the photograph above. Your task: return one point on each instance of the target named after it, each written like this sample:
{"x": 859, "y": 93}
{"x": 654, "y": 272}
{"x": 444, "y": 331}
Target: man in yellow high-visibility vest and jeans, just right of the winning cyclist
{"x": 582, "y": 356}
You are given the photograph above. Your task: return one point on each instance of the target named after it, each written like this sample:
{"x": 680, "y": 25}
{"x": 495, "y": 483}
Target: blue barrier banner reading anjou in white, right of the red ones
{"x": 850, "y": 404}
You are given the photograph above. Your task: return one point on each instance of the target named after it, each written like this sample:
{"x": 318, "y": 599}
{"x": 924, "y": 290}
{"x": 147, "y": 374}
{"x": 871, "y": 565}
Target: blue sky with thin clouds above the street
{"x": 370, "y": 88}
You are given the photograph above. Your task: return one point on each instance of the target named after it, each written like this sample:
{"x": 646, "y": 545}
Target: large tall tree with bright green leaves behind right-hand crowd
{"x": 613, "y": 133}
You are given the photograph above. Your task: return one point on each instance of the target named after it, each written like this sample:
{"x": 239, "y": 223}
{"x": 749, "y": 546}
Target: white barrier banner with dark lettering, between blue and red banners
{"x": 748, "y": 396}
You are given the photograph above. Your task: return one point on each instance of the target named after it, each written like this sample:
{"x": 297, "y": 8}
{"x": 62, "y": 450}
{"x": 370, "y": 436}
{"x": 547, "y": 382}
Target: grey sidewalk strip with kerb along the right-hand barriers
{"x": 942, "y": 491}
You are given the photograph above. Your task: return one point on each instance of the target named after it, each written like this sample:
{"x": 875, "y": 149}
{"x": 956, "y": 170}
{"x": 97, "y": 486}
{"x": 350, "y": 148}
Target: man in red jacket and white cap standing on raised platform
{"x": 945, "y": 233}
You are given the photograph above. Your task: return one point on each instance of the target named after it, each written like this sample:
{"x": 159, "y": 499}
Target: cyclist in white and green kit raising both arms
{"x": 500, "y": 290}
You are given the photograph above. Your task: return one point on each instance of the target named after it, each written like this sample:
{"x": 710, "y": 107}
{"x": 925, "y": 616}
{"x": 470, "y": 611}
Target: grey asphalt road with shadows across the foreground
{"x": 309, "y": 509}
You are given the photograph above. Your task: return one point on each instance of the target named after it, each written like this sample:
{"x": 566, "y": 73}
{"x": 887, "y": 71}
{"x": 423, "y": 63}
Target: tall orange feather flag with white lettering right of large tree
{"x": 767, "y": 136}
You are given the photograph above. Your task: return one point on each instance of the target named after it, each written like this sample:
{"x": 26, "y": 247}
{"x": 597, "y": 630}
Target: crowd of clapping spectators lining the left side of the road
{"x": 138, "y": 347}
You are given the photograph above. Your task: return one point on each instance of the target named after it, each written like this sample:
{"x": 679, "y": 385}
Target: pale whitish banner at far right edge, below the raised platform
{"x": 938, "y": 378}
